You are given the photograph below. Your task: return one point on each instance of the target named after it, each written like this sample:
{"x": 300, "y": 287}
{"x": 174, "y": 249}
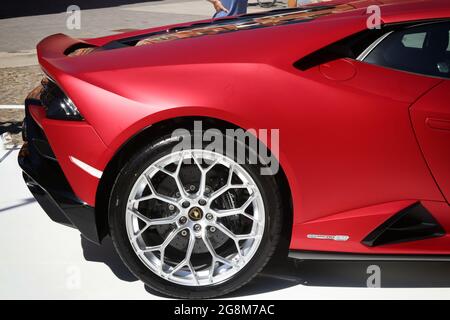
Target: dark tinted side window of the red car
{"x": 423, "y": 49}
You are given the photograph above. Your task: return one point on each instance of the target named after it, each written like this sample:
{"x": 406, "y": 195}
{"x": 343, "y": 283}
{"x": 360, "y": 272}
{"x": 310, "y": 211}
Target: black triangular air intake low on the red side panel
{"x": 410, "y": 224}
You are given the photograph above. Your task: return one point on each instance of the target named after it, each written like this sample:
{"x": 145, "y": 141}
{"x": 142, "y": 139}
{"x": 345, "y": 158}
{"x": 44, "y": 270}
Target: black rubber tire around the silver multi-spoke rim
{"x": 117, "y": 208}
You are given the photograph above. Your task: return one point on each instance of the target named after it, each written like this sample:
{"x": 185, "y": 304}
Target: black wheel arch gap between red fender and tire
{"x": 164, "y": 127}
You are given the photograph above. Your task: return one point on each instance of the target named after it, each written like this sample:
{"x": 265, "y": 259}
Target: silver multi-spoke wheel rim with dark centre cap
{"x": 195, "y": 233}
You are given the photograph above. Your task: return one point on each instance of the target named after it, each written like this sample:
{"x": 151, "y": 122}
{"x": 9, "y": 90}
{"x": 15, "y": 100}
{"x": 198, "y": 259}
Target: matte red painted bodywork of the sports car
{"x": 358, "y": 142}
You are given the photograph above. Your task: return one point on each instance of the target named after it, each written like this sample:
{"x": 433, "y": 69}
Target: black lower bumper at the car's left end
{"x": 48, "y": 184}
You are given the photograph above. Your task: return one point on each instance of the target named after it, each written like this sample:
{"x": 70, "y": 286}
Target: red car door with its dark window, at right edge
{"x": 424, "y": 50}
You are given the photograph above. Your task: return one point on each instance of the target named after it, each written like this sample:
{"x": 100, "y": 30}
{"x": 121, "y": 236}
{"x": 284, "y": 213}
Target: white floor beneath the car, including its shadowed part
{"x": 40, "y": 259}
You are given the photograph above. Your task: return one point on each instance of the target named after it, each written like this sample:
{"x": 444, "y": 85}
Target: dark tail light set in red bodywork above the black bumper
{"x": 57, "y": 104}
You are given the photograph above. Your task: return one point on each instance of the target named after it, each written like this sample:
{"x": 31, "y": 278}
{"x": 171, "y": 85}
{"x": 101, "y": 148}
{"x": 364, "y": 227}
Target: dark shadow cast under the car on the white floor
{"x": 289, "y": 273}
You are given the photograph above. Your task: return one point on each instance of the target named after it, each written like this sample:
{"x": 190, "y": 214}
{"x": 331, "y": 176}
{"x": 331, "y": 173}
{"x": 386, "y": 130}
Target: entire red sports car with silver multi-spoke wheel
{"x": 340, "y": 123}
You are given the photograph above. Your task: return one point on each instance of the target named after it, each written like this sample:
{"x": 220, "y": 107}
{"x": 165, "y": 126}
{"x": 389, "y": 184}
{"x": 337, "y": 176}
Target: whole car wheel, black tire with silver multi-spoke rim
{"x": 193, "y": 223}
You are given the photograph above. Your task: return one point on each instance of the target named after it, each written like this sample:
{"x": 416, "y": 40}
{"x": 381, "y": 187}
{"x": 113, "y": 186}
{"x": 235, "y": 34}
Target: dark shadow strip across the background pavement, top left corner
{"x": 23, "y": 8}
